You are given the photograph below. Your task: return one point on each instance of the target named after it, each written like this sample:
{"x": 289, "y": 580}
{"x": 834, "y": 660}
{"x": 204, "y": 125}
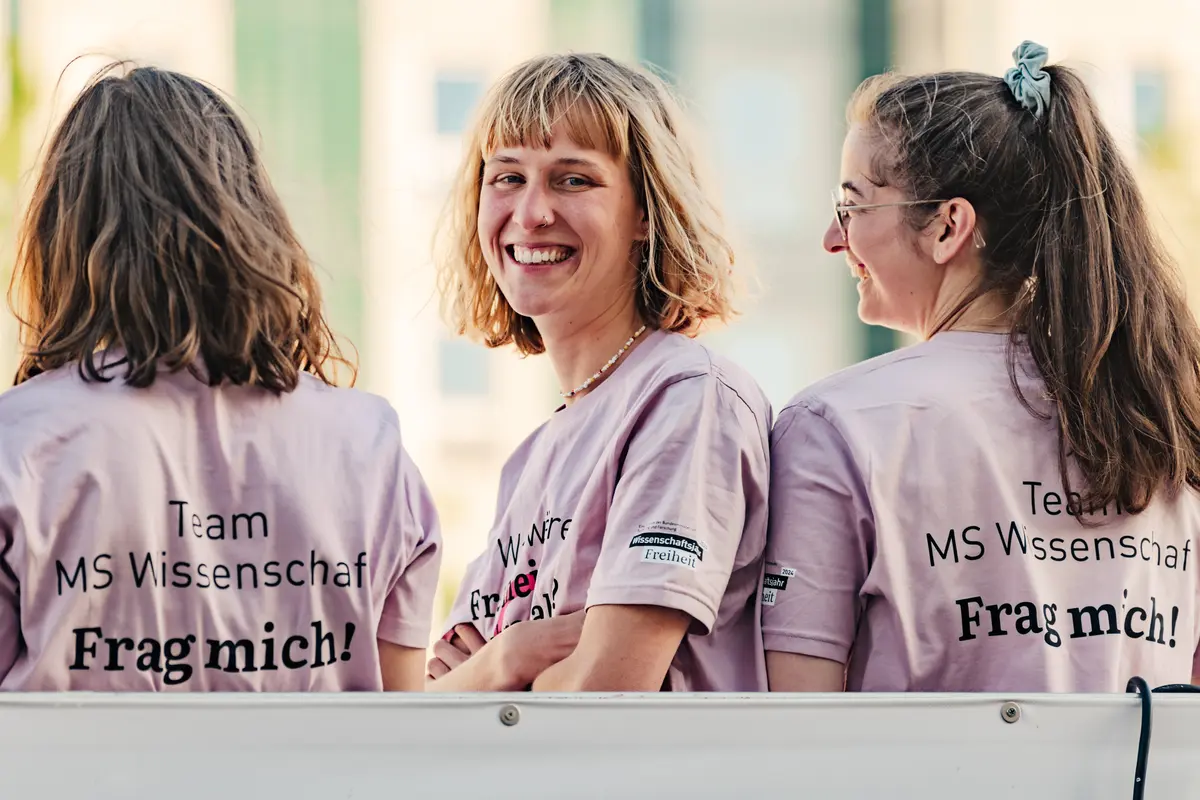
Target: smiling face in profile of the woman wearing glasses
{"x": 899, "y": 279}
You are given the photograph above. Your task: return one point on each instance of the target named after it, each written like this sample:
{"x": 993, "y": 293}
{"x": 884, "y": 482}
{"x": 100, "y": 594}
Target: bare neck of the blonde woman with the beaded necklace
{"x": 580, "y": 350}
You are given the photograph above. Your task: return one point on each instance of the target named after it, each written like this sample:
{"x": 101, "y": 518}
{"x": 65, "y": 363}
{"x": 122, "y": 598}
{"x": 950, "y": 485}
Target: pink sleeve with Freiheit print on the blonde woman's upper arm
{"x": 693, "y": 462}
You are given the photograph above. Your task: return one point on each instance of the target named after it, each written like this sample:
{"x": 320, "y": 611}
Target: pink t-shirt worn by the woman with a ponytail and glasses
{"x": 921, "y": 531}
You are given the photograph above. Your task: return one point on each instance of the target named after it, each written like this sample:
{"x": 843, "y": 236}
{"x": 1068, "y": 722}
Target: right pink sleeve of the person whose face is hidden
{"x": 409, "y": 610}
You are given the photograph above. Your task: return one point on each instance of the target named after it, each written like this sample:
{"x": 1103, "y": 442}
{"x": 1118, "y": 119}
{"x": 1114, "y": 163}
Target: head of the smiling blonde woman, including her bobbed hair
{"x": 578, "y": 208}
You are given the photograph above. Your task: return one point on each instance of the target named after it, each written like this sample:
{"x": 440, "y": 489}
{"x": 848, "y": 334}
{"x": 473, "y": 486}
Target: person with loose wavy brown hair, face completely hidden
{"x": 187, "y": 500}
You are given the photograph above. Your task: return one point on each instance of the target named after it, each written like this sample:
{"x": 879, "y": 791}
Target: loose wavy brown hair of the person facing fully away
{"x": 154, "y": 228}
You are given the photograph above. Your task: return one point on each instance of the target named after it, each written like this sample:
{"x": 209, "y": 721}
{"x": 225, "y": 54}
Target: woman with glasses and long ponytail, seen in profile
{"x": 1010, "y": 504}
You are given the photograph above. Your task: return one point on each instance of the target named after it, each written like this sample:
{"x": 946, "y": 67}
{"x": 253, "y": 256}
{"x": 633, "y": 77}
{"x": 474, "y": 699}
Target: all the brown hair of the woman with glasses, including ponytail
{"x": 1096, "y": 299}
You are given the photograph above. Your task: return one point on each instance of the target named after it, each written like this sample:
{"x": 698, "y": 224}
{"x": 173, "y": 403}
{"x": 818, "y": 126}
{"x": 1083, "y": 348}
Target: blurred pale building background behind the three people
{"x": 361, "y": 106}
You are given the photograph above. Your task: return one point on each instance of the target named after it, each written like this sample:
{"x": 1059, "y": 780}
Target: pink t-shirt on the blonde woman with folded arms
{"x": 651, "y": 490}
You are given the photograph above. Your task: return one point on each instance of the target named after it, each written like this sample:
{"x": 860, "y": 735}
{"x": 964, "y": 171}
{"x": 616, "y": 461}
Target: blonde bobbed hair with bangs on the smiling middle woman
{"x": 686, "y": 275}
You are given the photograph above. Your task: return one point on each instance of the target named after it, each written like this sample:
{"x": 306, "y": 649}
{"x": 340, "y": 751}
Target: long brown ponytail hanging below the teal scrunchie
{"x": 1107, "y": 320}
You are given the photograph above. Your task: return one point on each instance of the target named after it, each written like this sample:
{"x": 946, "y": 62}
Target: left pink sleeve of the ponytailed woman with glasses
{"x": 820, "y": 540}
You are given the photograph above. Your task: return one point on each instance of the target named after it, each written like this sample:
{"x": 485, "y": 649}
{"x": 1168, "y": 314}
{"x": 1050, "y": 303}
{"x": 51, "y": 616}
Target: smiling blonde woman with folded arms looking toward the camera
{"x": 631, "y": 527}
